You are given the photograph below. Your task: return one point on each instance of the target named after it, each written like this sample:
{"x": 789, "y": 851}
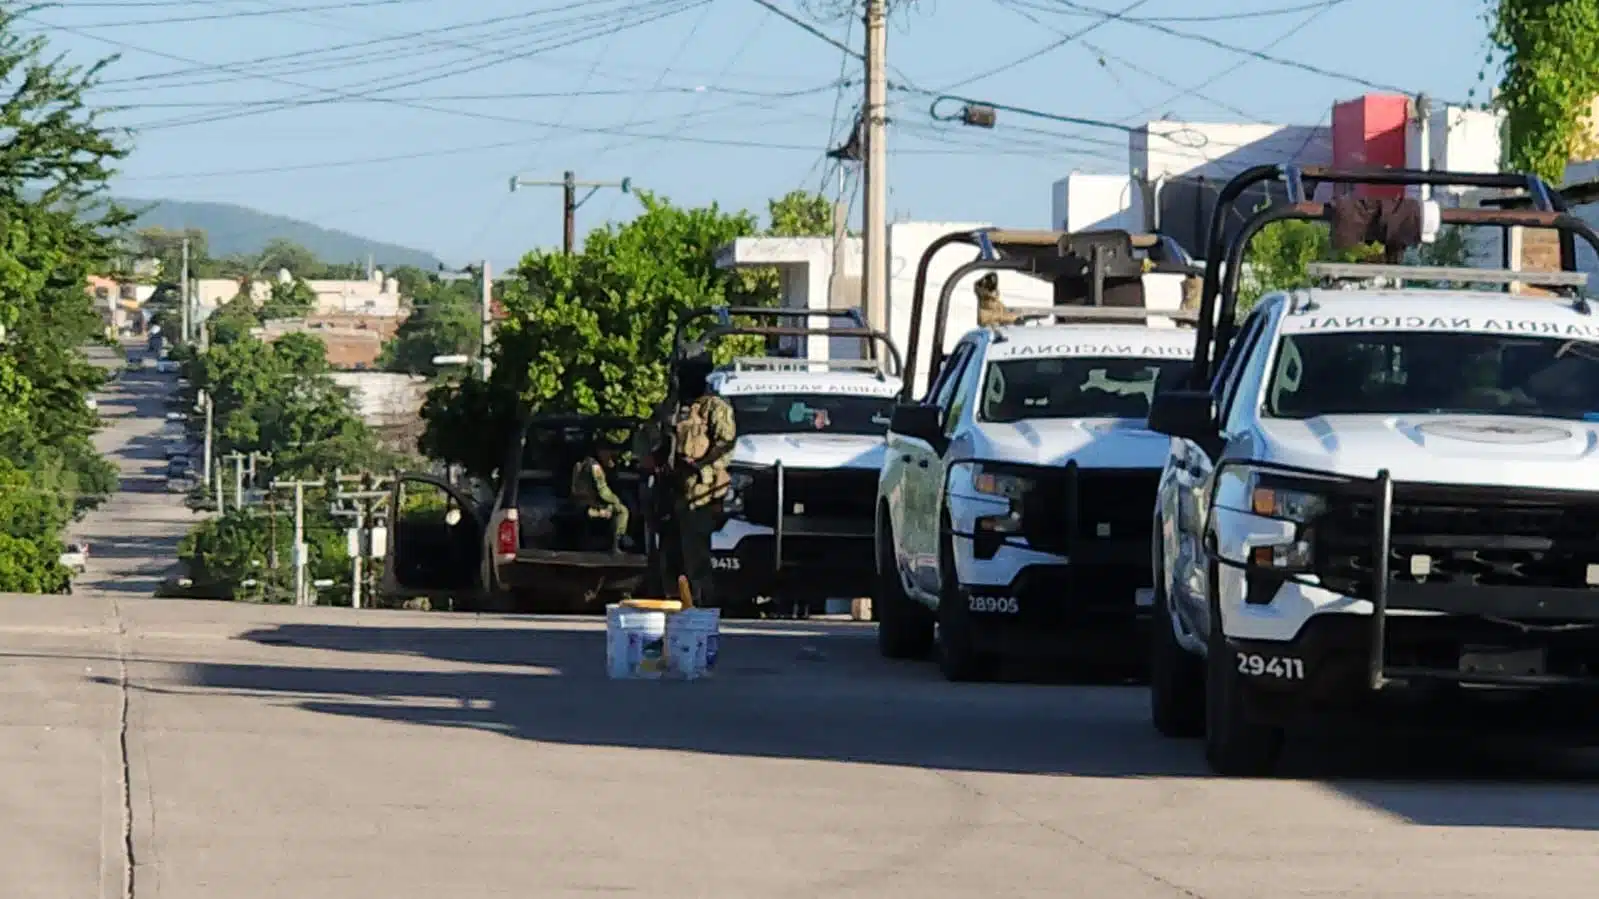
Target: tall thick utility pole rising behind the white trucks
{"x": 875, "y": 286}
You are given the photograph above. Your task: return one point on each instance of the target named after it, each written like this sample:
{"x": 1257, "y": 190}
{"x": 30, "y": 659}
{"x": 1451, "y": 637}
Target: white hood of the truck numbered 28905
{"x": 1095, "y": 444}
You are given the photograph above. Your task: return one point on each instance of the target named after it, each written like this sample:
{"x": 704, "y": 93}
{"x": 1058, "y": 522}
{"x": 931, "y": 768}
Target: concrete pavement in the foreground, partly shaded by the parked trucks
{"x": 300, "y": 754}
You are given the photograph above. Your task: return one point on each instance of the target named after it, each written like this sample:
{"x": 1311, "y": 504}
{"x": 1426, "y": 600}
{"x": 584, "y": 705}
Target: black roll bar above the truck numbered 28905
{"x": 1058, "y": 257}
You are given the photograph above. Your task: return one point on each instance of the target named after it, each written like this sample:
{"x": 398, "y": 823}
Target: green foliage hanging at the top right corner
{"x": 1552, "y": 78}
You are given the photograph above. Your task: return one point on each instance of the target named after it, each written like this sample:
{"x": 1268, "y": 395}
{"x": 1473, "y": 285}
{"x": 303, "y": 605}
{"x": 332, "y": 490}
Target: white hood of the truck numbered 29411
{"x": 1441, "y": 449}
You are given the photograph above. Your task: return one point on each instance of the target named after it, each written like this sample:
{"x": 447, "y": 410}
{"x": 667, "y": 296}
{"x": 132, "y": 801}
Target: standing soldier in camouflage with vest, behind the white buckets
{"x": 704, "y": 434}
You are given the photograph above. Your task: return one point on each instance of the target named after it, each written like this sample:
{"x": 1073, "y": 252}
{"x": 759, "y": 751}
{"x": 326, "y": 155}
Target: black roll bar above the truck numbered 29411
{"x": 1224, "y": 260}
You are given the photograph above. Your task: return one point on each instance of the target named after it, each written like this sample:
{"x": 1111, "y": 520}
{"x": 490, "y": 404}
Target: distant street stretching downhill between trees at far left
{"x": 134, "y": 537}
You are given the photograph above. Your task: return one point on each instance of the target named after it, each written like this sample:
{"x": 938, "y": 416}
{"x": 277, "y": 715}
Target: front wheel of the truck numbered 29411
{"x": 1234, "y": 745}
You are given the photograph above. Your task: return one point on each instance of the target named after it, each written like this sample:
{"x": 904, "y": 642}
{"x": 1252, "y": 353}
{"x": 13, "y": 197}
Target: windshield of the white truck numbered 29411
{"x": 1435, "y": 374}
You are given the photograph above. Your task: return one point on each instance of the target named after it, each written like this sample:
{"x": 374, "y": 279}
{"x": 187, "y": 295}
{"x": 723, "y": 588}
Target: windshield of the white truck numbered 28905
{"x": 1077, "y": 388}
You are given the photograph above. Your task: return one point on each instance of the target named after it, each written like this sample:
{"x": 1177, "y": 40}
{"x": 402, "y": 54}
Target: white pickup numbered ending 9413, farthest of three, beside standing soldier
{"x": 805, "y": 474}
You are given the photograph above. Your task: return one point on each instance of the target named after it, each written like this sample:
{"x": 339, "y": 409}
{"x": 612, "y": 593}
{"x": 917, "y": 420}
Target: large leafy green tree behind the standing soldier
{"x": 591, "y": 332}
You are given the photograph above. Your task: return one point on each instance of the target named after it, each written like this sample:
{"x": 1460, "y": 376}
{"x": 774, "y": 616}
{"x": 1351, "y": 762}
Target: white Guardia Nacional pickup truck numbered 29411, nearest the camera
{"x": 1381, "y": 493}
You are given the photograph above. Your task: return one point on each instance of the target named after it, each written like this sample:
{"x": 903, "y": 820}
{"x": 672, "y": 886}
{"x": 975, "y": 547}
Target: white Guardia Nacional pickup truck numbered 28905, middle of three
{"x": 1015, "y": 500}
